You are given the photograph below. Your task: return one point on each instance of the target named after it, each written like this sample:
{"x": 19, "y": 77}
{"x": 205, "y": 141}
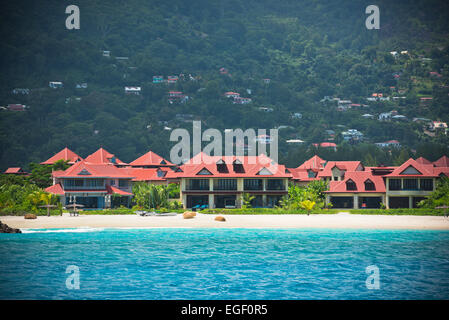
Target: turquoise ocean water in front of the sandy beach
{"x": 224, "y": 264}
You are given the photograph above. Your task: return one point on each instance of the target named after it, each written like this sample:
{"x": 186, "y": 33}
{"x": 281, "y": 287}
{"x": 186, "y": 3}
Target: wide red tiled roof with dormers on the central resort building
{"x": 252, "y": 166}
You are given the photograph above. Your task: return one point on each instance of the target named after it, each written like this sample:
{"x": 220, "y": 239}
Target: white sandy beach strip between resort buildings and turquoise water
{"x": 341, "y": 220}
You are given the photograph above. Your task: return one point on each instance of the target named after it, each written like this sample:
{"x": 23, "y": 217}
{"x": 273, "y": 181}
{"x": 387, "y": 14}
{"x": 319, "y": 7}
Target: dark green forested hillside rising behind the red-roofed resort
{"x": 308, "y": 49}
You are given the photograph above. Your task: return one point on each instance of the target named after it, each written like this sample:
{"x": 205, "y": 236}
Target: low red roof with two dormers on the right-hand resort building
{"x": 359, "y": 178}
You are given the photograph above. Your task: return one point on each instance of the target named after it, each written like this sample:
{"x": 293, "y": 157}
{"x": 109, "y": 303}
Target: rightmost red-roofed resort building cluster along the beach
{"x": 351, "y": 185}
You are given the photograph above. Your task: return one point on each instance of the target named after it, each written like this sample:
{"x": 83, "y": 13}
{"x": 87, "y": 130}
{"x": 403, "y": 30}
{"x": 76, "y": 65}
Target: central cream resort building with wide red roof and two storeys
{"x": 221, "y": 181}
